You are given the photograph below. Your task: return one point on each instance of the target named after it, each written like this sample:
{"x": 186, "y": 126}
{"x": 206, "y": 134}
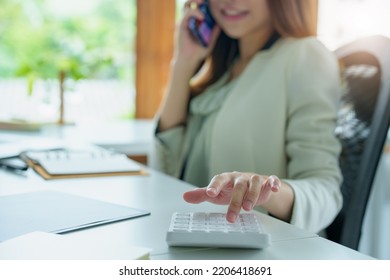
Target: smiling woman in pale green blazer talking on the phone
{"x": 261, "y": 99}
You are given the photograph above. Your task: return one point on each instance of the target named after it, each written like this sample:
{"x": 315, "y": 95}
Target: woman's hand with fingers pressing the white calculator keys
{"x": 238, "y": 190}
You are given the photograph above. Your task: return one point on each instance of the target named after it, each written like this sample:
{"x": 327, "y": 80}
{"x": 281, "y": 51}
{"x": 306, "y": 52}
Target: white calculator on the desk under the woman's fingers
{"x": 201, "y": 229}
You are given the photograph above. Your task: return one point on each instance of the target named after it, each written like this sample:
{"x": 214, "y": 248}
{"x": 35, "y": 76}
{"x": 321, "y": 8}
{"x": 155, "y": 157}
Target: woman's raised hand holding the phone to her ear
{"x": 187, "y": 48}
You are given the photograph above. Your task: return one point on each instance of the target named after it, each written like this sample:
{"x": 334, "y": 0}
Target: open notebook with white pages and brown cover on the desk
{"x": 81, "y": 163}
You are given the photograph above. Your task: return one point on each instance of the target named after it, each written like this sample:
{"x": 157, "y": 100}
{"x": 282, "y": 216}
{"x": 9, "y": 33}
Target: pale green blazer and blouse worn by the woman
{"x": 277, "y": 118}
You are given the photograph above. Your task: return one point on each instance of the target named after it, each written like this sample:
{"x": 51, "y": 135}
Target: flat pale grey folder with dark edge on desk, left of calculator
{"x": 57, "y": 212}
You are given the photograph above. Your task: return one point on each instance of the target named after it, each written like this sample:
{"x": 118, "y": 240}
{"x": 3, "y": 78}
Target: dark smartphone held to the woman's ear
{"x": 201, "y": 29}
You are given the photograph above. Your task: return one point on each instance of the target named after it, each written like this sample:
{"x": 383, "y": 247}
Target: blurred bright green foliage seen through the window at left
{"x": 37, "y": 42}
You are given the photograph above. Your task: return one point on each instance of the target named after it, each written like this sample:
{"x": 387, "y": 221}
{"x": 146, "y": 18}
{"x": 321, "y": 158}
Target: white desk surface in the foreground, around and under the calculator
{"x": 162, "y": 195}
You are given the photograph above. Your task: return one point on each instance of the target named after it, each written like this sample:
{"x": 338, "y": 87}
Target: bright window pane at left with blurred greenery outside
{"x": 92, "y": 43}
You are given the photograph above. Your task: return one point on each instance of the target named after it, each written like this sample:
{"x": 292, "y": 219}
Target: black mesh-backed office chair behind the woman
{"x": 362, "y": 127}
